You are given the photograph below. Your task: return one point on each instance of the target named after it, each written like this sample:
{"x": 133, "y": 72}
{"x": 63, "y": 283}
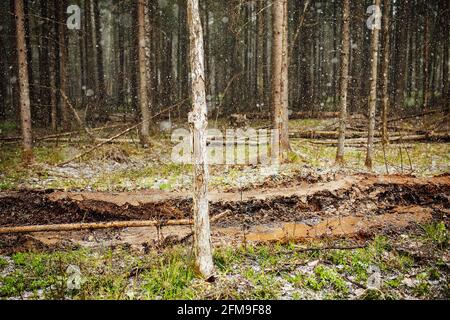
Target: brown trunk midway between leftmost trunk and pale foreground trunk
{"x": 143, "y": 79}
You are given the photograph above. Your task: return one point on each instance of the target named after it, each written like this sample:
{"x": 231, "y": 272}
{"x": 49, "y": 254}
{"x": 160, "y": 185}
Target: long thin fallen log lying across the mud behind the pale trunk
{"x": 103, "y": 225}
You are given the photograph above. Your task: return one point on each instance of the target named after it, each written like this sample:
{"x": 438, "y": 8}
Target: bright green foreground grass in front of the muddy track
{"x": 245, "y": 272}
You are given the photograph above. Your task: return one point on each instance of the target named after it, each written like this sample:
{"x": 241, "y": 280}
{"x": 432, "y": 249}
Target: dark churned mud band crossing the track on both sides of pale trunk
{"x": 37, "y": 207}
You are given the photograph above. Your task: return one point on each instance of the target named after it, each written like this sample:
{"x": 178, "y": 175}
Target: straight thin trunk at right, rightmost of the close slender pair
{"x": 386, "y": 63}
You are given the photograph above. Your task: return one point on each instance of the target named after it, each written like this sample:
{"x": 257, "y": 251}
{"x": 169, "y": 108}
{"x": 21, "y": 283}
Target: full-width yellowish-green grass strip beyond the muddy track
{"x": 426, "y": 159}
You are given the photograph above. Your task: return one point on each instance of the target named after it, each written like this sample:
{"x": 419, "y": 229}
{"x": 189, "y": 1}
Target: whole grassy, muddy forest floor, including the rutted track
{"x": 309, "y": 231}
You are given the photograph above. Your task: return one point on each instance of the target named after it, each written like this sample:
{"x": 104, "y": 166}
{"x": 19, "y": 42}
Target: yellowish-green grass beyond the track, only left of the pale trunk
{"x": 13, "y": 172}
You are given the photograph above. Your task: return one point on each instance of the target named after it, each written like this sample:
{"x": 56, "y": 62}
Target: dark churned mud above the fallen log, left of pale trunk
{"x": 40, "y": 207}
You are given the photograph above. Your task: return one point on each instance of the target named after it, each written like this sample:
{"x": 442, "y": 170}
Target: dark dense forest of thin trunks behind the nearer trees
{"x": 96, "y": 66}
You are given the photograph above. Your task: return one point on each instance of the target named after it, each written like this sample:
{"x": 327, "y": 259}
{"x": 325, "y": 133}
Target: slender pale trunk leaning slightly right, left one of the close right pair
{"x": 373, "y": 92}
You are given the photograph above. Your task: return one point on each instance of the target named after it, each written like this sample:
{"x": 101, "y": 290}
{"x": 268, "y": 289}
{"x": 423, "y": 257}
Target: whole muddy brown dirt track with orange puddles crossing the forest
{"x": 354, "y": 206}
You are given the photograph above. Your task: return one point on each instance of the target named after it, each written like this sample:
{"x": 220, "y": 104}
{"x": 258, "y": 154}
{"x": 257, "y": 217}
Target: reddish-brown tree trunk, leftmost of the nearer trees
{"x": 25, "y": 110}
